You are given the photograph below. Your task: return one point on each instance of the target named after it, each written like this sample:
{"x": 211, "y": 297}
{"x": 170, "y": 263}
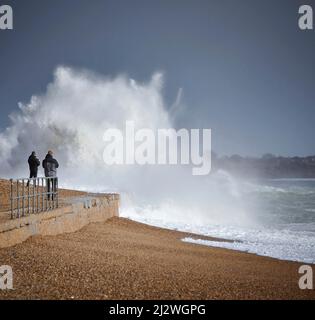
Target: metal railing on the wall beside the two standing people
{"x": 33, "y": 195}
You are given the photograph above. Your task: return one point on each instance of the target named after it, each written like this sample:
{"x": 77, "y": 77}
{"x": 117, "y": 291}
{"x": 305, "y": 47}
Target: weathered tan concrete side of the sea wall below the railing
{"x": 66, "y": 219}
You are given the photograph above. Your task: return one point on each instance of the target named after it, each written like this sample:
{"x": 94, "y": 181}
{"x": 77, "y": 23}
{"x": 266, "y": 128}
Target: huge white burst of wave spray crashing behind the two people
{"x": 70, "y": 118}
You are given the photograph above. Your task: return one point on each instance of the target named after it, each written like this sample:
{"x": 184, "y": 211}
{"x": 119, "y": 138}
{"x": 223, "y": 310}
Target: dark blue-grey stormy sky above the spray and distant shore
{"x": 245, "y": 68}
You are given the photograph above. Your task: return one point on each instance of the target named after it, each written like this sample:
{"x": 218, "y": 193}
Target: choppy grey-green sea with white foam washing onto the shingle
{"x": 284, "y": 226}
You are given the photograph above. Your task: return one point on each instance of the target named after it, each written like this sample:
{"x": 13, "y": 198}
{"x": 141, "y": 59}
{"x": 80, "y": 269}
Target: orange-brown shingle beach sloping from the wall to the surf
{"x": 122, "y": 259}
